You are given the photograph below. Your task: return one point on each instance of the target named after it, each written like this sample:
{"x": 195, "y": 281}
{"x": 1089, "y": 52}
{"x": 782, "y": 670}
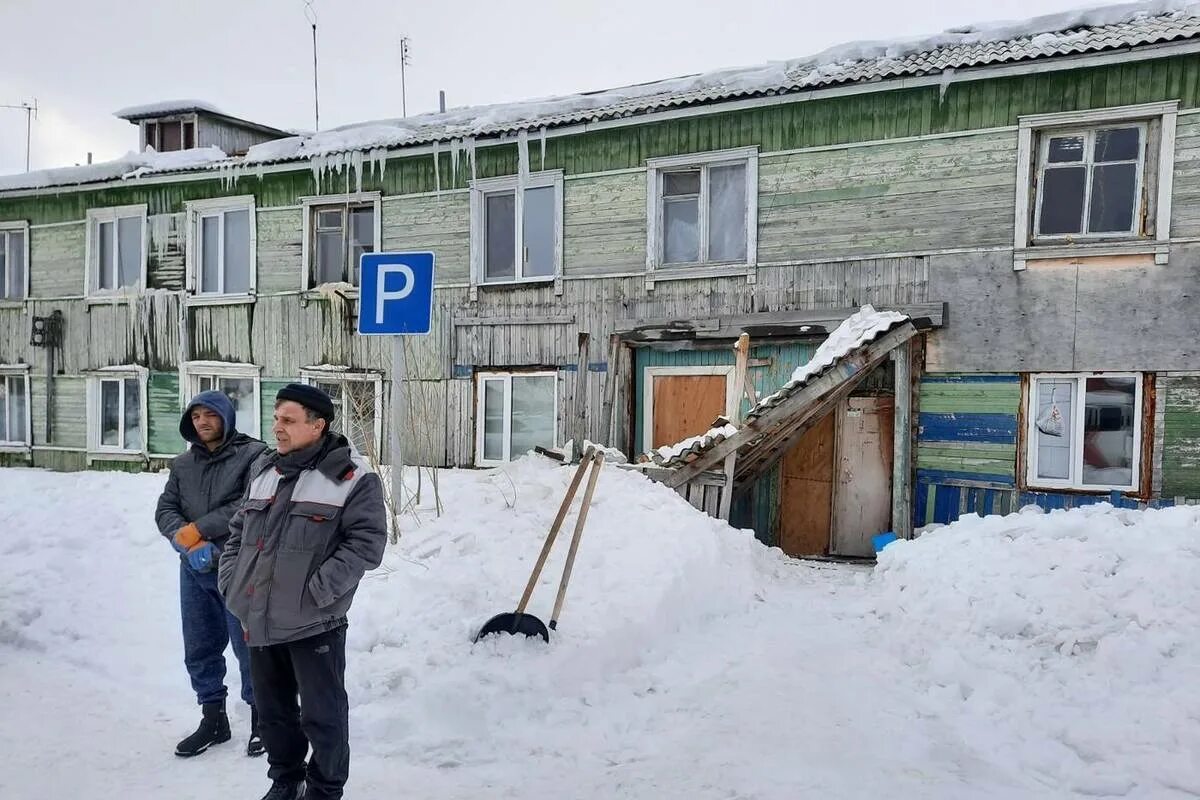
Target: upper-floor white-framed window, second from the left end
{"x": 117, "y": 258}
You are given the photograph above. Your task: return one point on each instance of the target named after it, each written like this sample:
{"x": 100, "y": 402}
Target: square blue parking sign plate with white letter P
{"x": 397, "y": 294}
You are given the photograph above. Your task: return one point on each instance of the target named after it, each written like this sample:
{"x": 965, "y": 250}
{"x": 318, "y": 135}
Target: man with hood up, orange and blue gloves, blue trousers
{"x": 206, "y": 486}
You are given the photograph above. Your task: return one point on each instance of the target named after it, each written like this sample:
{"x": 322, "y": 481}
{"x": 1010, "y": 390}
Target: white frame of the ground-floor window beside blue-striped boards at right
{"x": 1076, "y": 482}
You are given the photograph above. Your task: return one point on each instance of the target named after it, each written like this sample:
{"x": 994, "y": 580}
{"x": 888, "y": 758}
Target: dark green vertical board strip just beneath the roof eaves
{"x": 830, "y": 122}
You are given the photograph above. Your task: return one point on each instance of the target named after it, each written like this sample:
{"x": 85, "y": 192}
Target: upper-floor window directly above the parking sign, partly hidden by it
{"x": 339, "y": 232}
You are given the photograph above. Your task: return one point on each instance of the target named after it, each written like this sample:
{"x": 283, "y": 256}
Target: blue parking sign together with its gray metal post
{"x": 397, "y": 299}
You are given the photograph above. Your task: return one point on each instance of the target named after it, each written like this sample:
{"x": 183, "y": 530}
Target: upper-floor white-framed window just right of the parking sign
{"x": 518, "y": 237}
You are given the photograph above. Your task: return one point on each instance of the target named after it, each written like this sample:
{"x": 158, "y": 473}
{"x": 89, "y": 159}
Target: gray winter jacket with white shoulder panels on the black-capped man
{"x": 301, "y": 544}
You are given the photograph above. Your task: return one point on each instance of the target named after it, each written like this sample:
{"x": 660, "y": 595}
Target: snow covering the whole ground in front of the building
{"x": 1031, "y": 657}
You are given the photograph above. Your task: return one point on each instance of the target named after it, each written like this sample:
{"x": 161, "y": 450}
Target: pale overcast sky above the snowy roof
{"x": 85, "y": 59}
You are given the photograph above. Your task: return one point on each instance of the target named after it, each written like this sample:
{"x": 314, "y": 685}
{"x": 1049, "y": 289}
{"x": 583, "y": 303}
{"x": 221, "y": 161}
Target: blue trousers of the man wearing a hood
{"x": 208, "y": 629}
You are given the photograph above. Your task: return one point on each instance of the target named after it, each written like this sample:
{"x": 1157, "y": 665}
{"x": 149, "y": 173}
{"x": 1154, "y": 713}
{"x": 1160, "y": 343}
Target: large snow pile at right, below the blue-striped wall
{"x": 1075, "y": 631}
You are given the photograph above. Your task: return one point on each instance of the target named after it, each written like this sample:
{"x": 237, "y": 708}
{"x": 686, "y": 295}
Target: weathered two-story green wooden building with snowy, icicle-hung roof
{"x": 1030, "y": 195}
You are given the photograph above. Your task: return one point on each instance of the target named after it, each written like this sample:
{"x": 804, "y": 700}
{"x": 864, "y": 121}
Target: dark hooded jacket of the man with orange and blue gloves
{"x": 206, "y": 486}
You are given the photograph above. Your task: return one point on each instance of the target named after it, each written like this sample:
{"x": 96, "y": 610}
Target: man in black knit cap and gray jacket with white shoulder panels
{"x": 313, "y": 522}
